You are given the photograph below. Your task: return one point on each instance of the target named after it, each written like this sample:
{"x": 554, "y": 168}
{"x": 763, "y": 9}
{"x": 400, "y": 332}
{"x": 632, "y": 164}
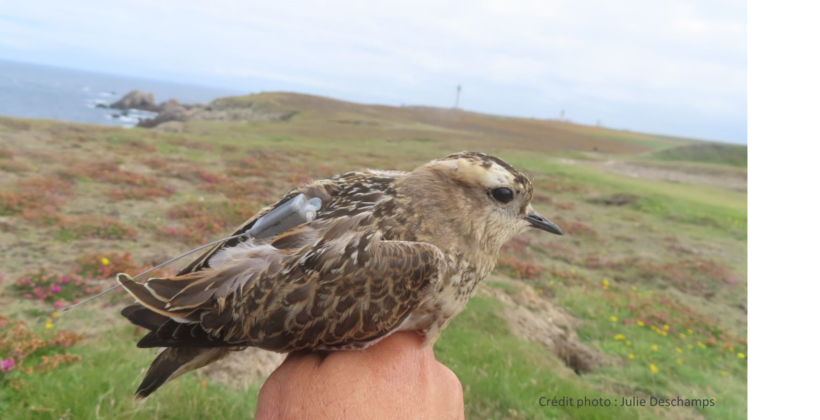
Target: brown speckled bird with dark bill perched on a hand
{"x": 388, "y": 251}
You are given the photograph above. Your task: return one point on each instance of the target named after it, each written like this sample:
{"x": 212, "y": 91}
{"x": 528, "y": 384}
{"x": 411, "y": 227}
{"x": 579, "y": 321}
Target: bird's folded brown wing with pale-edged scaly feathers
{"x": 348, "y": 287}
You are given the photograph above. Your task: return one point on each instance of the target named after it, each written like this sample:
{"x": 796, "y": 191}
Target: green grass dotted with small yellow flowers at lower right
{"x": 706, "y": 372}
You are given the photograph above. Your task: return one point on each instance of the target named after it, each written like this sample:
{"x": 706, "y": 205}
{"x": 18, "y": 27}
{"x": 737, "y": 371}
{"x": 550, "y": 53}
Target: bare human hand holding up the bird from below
{"x": 395, "y": 379}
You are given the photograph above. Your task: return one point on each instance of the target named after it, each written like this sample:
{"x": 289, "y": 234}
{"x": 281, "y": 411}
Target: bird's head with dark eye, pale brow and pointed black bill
{"x": 480, "y": 196}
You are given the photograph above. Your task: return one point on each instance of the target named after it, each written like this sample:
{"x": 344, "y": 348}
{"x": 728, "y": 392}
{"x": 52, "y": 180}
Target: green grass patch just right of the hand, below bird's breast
{"x": 503, "y": 374}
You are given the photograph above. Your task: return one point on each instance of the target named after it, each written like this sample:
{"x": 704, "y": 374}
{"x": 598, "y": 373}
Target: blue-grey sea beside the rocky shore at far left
{"x": 37, "y": 91}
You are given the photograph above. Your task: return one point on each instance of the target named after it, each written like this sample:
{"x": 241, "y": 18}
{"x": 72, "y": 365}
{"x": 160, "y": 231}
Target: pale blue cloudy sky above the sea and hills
{"x": 667, "y": 67}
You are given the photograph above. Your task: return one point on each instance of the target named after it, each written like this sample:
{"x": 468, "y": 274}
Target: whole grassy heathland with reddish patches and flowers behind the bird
{"x": 646, "y": 296}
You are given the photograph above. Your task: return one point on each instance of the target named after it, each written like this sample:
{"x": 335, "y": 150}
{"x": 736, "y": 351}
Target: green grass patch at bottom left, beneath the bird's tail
{"x": 102, "y": 386}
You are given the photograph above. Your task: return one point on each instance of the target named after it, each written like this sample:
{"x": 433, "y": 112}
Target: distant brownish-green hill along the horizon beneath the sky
{"x": 325, "y": 118}
